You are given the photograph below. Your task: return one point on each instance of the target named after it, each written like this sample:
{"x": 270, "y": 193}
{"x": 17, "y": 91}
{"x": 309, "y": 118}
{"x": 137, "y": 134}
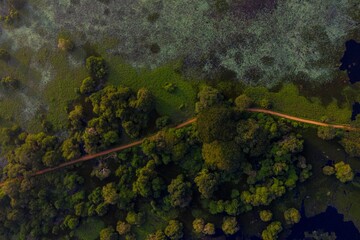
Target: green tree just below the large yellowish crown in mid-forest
{"x": 206, "y": 182}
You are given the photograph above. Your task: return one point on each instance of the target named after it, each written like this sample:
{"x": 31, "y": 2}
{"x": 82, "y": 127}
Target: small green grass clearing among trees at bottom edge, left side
{"x": 89, "y": 229}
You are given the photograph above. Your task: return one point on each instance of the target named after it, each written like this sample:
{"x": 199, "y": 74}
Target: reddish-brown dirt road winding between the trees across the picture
{"x": 184, "y": 124}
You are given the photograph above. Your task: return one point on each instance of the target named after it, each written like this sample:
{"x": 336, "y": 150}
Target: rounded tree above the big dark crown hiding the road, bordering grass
{"x": 208, "y": 97}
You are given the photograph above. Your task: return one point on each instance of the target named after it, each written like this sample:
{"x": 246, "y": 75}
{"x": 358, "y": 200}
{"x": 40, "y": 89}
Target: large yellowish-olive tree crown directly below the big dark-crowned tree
{"x": 222, "y": 155}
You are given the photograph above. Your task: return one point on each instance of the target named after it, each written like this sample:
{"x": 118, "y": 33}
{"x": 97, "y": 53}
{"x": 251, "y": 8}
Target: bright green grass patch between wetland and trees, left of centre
{"x": 167, "y": 103}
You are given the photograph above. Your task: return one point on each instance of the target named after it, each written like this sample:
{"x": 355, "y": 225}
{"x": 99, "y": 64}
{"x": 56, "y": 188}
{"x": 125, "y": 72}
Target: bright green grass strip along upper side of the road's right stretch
{"x": 289, "y": 101}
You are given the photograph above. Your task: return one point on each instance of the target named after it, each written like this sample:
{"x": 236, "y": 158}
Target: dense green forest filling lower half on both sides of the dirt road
{"x": 226, "y": 164}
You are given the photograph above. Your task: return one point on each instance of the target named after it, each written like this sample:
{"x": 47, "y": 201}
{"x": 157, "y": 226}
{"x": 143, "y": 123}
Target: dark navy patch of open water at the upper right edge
{"x": 351, "y": 61}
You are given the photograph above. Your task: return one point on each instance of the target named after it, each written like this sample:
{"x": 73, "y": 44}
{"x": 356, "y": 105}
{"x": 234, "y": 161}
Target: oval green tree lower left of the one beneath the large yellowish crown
{"x": 180, "y": 192}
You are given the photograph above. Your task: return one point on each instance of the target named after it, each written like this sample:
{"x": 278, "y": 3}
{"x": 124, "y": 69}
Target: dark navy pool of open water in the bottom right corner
{"x": 328, "y": 221}
